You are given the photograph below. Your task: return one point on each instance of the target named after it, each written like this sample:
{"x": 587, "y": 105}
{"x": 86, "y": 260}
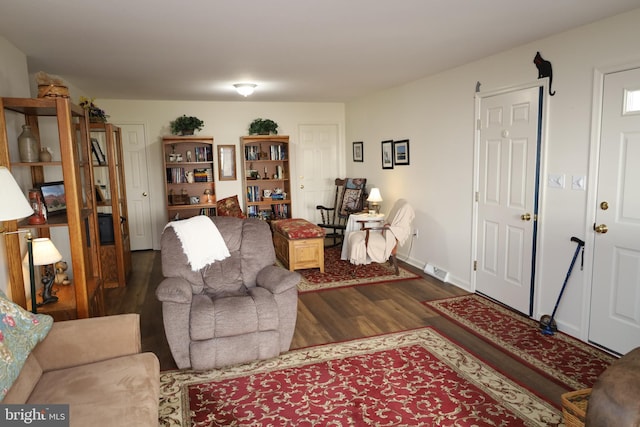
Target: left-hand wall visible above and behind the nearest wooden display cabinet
{"x": 14, "y": 82}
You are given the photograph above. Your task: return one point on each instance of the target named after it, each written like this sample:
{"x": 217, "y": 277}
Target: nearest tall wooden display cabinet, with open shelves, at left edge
{"x": 75, "y": 229}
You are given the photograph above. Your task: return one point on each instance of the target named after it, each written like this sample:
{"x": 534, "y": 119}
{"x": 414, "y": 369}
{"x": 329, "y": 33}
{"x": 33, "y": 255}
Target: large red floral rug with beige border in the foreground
{"x": 411, "y": 378}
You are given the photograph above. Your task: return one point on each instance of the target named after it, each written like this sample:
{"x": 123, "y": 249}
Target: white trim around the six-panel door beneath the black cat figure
{"x": 544, "y": 84}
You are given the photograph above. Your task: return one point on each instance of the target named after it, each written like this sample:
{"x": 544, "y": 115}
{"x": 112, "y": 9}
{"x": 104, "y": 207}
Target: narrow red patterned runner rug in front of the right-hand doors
{"x": 569, "y": 361}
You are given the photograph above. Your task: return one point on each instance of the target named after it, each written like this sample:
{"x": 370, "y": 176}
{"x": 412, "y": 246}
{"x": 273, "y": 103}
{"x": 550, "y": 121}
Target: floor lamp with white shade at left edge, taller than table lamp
{"x": 15, "y": 206}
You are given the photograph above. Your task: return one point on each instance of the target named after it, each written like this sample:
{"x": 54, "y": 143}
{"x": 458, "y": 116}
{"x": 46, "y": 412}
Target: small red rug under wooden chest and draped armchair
{"x": 339, "y": 273}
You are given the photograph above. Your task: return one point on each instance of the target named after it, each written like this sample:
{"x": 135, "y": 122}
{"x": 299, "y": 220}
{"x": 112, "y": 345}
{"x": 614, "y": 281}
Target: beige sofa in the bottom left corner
{"x": 96, "y": 366}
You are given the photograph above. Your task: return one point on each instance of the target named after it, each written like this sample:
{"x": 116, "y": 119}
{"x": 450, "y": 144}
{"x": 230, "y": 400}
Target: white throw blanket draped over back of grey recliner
{"x": 201, "y": 241}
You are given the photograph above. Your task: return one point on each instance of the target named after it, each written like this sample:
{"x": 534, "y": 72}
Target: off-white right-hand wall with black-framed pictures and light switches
{"x": 437, "y": 115}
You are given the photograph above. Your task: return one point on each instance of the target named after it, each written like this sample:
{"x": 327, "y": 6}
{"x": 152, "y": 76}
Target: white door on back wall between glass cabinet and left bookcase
{"x": 137, "y": 182}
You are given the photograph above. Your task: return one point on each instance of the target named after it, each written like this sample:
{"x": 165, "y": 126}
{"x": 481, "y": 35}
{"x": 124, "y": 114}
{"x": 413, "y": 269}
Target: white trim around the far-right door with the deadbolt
{"x": 592, "y": 185}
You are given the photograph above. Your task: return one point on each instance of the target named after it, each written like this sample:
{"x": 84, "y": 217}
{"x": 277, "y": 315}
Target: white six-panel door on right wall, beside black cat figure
{"x": 506, "y": 209}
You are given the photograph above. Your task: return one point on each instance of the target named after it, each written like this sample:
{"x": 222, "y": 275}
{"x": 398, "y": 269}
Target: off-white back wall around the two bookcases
{"x": 225, "y": 121}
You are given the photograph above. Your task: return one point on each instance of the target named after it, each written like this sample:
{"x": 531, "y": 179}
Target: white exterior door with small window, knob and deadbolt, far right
{"x": 615, "y": 294}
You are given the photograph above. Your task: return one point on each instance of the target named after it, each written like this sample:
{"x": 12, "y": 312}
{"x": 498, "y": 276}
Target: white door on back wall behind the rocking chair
{"x": 317, "y": 166}
